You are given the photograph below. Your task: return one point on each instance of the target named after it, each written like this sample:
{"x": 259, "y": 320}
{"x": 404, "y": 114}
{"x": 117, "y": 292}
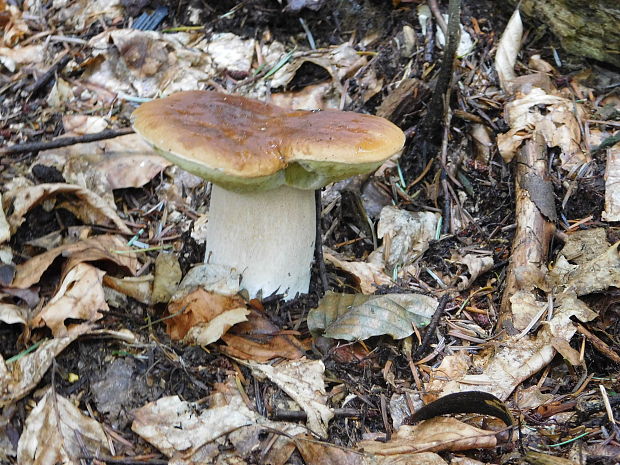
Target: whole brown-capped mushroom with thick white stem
{"x": 265, "y": 163}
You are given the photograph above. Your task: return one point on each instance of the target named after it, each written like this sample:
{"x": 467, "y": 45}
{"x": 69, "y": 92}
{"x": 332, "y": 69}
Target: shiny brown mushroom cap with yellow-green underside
{"x": 243, "y": 144}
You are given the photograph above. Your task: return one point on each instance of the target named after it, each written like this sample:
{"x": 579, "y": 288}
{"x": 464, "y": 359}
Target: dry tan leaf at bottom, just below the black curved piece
{"x": 437, "y": 434}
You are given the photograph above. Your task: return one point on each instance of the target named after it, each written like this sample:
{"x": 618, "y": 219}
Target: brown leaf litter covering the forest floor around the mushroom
{"x": 217, "y": 377}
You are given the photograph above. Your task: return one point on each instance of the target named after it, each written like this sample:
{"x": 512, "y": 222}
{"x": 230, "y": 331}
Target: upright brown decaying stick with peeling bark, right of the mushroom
{"x": 534, "y": 229}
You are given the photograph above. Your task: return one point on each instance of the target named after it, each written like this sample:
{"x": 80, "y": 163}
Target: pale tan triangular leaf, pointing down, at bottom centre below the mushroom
{"x": 303, "y": 381}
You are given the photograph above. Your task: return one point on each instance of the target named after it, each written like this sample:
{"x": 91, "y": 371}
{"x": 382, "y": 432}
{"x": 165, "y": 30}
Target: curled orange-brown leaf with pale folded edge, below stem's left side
{"x": 198, "y": 310}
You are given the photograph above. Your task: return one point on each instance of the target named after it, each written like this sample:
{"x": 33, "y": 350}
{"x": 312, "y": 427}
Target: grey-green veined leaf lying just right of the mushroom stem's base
{"x": 357, "y": 317}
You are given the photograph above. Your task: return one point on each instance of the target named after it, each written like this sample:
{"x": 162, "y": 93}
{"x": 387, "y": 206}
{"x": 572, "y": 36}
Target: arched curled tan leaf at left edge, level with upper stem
{"x": 91, "y": 209}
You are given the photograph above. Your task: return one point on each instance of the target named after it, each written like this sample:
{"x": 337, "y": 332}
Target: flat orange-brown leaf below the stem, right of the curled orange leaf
{"x": 258, "y": 340}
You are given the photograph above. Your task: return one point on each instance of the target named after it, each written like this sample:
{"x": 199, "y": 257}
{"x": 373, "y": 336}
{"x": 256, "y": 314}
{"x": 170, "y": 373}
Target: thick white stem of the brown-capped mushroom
{"x": 267, "y": 236}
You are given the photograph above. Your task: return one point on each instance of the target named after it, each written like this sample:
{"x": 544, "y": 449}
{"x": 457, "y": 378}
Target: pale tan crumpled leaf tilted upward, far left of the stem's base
{"x": 80, "y": 297}
